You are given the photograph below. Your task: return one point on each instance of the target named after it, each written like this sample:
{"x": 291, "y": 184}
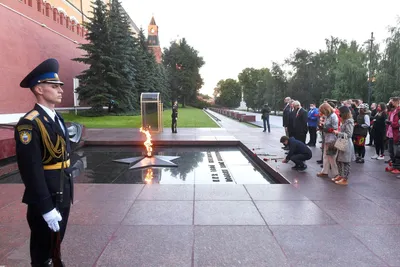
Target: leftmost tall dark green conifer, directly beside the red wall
{"x": 93, "y": 88}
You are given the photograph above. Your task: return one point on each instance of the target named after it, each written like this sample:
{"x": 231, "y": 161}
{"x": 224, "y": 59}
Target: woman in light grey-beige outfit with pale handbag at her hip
{"x": 345, "y": 146}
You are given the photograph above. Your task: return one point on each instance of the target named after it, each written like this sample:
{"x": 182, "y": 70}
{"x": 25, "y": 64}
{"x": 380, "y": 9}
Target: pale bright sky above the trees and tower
{"x": 234, "y": 35}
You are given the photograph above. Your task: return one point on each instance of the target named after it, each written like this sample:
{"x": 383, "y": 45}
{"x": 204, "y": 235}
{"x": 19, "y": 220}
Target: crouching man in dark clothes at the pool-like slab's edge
{"x": 298, "y": 152}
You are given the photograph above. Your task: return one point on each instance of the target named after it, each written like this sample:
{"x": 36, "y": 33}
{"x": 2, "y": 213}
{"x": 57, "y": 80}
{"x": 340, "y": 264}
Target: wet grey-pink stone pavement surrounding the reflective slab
{"x": 310, "y": 222}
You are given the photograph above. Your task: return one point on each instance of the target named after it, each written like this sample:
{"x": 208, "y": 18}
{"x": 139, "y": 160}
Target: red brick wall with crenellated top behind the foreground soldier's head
{"x": 25, "y": 43}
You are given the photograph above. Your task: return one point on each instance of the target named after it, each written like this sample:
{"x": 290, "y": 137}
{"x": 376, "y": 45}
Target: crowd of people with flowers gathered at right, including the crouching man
{"x": 344, "y": 127}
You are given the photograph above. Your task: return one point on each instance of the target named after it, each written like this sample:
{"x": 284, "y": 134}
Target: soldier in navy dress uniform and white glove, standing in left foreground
{"x": 42, "y": 150}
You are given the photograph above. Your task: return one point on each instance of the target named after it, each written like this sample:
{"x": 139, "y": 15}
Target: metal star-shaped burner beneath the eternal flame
{"x": 153, "y": 161}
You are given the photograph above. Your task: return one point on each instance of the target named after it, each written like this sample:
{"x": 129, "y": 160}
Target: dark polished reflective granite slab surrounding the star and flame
{"x": 168, "y": 165}
